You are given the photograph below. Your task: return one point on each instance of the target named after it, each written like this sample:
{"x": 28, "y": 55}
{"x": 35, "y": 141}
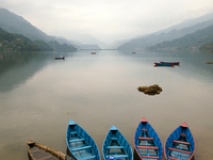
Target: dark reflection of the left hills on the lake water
{"x": 17, "y": 67}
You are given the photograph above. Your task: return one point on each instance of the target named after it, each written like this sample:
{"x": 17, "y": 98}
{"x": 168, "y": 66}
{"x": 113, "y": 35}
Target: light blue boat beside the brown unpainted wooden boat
{"x": 80, "y": 144}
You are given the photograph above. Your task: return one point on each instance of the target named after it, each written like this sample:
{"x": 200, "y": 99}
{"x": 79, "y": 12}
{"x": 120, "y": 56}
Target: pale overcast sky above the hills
{"x": 106, "y": 20}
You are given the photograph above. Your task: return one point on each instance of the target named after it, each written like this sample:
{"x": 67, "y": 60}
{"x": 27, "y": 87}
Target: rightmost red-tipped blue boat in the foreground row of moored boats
{"x": 180, "y": 144}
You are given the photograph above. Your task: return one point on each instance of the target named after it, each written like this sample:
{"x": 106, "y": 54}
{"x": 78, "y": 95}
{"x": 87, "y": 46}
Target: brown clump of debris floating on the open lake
{"x": 150, "y": 90}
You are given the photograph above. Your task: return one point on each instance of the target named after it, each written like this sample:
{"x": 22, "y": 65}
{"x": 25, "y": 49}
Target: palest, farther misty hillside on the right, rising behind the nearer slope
{"x": 168, "y": 34}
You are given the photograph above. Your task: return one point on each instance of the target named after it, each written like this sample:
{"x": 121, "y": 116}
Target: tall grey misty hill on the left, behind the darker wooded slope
{"x": 13, "y": 23}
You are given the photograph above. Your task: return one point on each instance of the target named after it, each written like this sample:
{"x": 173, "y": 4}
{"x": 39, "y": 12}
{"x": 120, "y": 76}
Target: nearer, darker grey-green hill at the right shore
{"x": 202, "y": 38}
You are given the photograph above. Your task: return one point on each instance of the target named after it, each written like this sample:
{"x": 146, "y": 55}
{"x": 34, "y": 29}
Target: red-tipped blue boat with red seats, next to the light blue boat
{"x": 147, "y": 143}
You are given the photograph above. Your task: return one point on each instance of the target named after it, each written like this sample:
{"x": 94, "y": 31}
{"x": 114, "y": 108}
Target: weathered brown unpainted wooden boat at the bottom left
{"x": 38, "y": 151}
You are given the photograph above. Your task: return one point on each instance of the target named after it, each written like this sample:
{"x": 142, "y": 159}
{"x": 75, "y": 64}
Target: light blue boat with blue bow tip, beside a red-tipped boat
{"x": 115, "y": 146}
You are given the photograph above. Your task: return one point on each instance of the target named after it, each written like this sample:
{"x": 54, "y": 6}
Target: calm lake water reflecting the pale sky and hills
{"x": 39, "y": 95}
